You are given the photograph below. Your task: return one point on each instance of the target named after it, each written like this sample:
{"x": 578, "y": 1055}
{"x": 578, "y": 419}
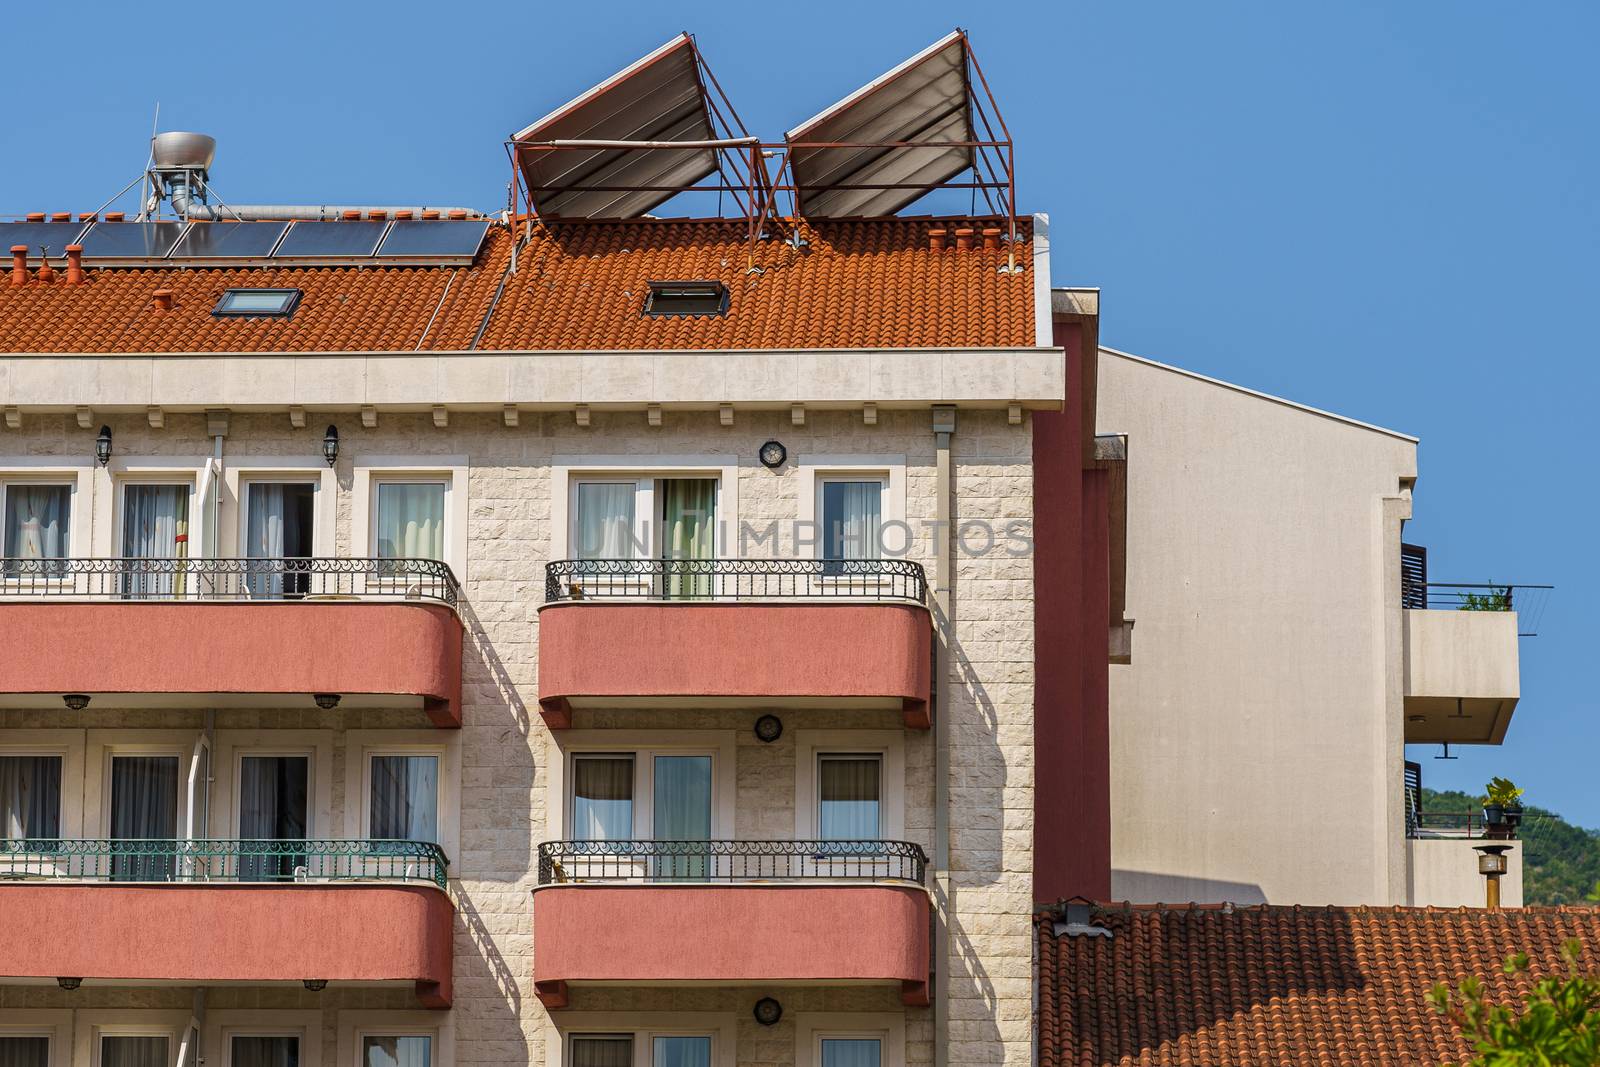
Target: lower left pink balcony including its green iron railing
{"x": 209, "y": 911}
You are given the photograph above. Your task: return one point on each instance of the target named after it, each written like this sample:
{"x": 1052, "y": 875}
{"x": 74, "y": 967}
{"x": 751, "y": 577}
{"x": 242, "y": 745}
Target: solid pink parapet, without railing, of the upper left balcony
{"x": 164, "y": 653}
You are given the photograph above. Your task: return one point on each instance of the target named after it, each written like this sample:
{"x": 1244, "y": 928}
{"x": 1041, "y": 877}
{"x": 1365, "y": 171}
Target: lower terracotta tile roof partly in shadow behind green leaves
{"x": 1266, "y": 986}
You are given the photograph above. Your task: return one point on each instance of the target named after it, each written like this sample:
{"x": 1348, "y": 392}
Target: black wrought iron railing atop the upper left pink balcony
{"x": 230, "y": 580}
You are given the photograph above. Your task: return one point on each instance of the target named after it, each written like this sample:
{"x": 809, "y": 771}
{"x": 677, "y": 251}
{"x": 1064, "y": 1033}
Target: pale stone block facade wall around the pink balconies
{"x": 505, "y": 749}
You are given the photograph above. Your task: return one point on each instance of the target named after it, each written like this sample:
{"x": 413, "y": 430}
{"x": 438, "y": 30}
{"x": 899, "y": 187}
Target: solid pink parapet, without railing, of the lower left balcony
{"x": 231, "y": 935}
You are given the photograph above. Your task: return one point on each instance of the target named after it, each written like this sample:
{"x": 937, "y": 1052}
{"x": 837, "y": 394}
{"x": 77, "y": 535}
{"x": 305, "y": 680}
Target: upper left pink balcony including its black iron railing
{"x": 233, "y": 634}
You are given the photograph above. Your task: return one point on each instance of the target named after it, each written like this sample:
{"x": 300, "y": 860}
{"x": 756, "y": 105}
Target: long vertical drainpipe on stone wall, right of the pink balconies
{"x": 945, "y": 637}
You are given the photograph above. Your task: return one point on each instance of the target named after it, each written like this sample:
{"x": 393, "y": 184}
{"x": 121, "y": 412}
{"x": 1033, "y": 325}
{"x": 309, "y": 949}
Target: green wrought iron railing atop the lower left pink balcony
{"x": 164, "y": 860}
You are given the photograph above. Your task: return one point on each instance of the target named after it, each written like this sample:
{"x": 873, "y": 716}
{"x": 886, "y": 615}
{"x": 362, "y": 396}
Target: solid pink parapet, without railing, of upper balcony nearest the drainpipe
{"x": 746, "y": 655}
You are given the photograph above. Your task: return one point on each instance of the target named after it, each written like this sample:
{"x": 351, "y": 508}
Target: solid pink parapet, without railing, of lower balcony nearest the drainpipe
{"x": 730, "y": 935}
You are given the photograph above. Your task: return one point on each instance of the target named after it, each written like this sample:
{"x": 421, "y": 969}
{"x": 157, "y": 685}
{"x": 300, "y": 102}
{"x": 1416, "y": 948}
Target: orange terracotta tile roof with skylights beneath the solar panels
{"x": 580, "y": 286}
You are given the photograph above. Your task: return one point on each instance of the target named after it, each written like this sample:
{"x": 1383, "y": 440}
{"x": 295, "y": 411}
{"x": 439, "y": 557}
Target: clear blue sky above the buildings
{"x": 1386, "y": 210}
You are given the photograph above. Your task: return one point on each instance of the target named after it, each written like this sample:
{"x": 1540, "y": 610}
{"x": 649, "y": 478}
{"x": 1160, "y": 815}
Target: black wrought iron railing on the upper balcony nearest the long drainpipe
{"x": 735, "y": 580}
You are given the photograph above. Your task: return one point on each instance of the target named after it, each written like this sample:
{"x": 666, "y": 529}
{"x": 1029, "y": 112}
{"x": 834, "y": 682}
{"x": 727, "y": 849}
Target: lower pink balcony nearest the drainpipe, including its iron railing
{"x": 730, "y": 914}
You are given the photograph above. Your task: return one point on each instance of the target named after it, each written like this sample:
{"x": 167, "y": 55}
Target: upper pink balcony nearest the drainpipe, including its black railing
{"x": 852, "y": 634}
